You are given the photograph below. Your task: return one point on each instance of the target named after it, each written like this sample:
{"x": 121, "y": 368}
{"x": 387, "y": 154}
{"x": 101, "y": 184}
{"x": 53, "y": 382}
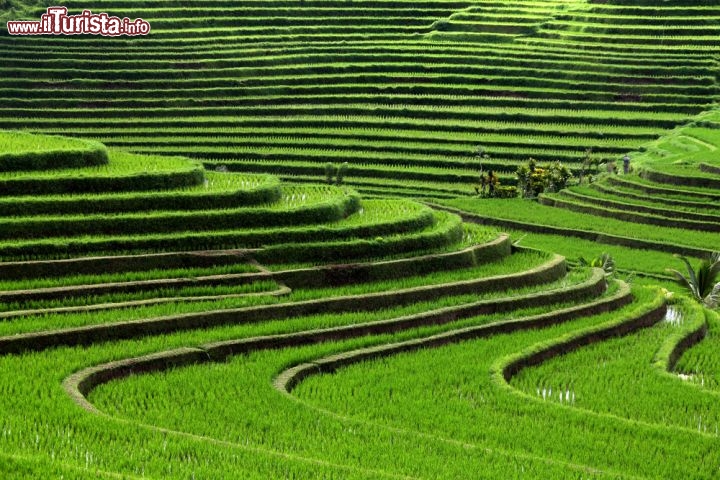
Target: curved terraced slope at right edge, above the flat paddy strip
{"x": 678, "y": 185}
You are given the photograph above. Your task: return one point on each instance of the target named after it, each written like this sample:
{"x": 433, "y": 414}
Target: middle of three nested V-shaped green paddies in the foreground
{"x": 452, "y": 388}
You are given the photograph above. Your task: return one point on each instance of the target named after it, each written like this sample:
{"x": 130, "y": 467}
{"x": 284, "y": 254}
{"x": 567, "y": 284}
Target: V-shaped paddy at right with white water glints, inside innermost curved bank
{"x": 595, "y": 376}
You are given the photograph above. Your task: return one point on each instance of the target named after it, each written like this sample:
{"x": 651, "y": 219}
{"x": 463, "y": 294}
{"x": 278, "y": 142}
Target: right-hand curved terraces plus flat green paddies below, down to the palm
{"x": 669, "y": 204}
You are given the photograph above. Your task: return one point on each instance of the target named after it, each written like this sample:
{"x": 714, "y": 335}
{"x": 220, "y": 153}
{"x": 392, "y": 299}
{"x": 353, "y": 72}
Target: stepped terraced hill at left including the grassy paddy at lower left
{"x": 130, "y": 256}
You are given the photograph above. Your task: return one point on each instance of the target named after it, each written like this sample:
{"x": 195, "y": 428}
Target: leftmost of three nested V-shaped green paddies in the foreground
{"x": 271, "y": 431}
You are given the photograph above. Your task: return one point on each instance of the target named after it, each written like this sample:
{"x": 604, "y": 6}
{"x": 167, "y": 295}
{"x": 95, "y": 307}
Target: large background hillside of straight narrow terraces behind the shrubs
{"x": 405, "y": 92}
